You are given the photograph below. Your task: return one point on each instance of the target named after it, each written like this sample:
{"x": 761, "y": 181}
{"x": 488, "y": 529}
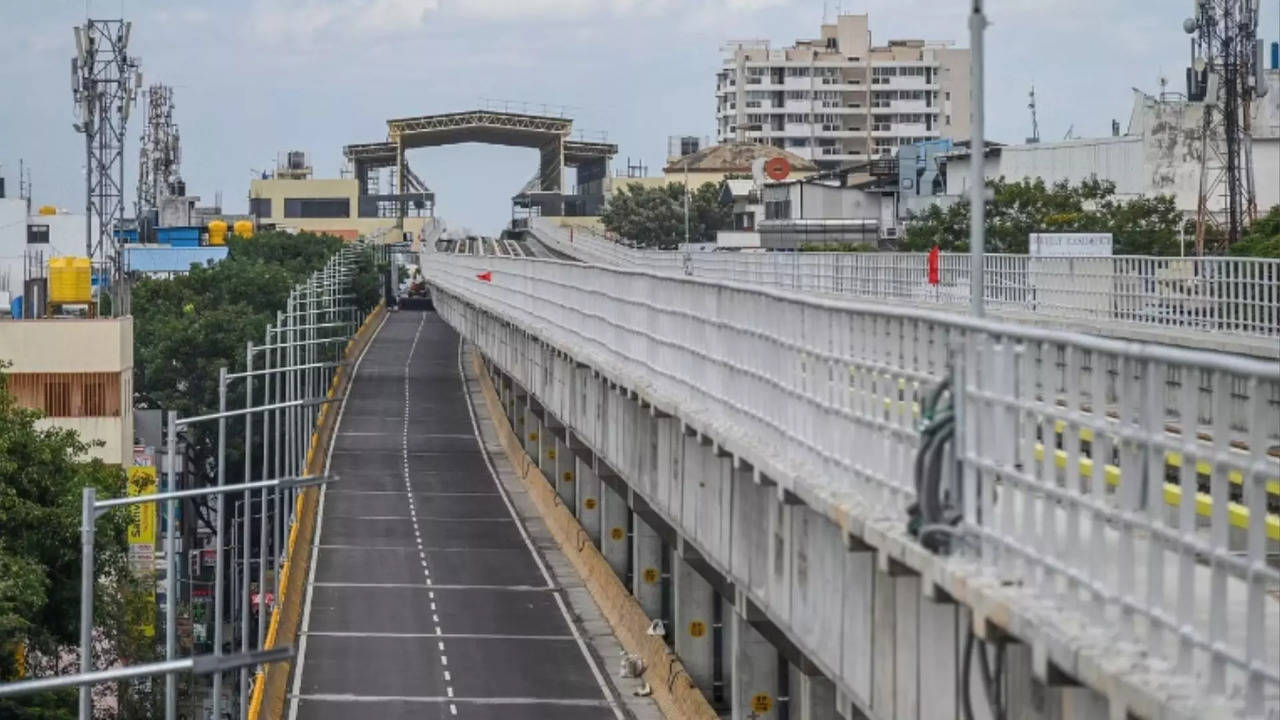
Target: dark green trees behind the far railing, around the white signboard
{"x": 1140, "y": 226}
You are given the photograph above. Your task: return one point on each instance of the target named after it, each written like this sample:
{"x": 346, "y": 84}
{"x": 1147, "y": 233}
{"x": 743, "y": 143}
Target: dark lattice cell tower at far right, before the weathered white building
{"x": 1226, "y": 76}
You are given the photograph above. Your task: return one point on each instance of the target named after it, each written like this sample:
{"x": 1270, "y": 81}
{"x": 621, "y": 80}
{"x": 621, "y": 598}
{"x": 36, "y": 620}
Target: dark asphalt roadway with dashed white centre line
{"x": 427, "y": 598}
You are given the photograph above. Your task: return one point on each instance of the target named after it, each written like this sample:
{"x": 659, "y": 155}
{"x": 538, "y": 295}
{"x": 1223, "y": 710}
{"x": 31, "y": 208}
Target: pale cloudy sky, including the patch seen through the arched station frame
{"x": 257, "y": 78}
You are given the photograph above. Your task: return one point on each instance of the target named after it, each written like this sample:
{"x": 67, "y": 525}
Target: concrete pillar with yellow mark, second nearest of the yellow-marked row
{"x": 694, "y": 617}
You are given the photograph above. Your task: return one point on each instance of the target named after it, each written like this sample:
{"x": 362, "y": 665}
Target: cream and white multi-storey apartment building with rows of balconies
{"x": 840, "y": 99}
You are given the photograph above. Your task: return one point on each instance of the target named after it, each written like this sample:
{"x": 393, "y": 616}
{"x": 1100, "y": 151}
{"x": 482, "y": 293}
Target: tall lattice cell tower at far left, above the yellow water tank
{"x": 104, "y": 86}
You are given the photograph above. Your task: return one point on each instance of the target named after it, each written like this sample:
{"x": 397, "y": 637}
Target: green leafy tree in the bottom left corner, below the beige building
{"x": 43, "y": 473}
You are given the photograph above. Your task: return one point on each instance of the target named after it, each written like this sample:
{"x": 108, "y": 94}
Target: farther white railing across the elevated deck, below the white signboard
{"x": 1208, "y": 295}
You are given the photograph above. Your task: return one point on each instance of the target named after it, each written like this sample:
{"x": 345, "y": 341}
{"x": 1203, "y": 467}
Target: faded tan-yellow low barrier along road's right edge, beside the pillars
{"x": 674, "y": 689}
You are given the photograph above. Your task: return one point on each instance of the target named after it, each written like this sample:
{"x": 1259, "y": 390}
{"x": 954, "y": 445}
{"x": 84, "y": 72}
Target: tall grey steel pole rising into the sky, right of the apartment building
{"x": 977, "y": 162}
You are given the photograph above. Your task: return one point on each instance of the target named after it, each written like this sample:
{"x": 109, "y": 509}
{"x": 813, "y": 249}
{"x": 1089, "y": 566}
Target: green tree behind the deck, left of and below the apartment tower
{"x": 655, "y": 217}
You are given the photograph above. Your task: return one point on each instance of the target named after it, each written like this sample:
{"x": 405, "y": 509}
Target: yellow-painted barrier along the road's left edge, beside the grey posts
{"x": 287, "y": 608}
